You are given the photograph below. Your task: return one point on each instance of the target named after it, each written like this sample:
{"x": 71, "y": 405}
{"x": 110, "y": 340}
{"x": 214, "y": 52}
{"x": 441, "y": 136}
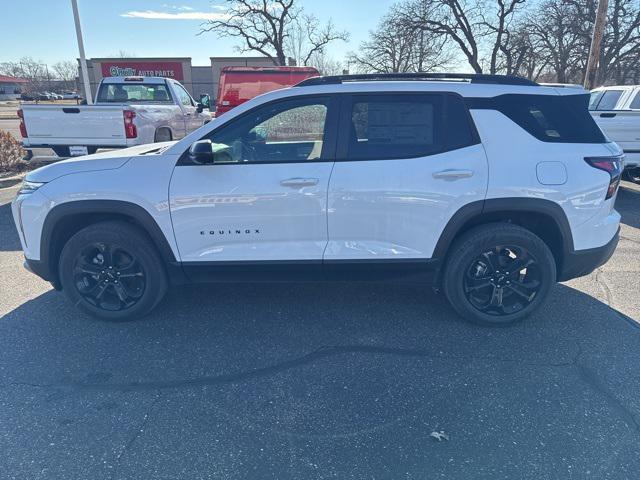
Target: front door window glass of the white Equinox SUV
{"x": 289, "y": 131}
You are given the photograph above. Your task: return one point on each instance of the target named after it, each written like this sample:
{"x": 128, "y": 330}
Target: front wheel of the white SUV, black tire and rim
{"x": 130, "y": 289}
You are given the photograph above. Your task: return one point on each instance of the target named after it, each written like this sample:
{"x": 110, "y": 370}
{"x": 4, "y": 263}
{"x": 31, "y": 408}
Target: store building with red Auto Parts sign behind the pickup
{"x": 197, "y": 79}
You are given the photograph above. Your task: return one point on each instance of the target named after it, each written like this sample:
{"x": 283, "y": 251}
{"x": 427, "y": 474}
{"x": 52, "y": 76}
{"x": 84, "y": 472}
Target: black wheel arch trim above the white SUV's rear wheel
{"x": 508, "y": 205}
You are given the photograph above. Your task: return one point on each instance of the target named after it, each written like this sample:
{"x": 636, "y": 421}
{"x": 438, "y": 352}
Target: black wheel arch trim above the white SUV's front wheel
{"x": 48, "y": 270}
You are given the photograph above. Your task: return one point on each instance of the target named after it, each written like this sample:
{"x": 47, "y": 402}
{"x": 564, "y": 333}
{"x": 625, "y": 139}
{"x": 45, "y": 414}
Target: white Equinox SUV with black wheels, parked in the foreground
{"x": 489, "y": 187}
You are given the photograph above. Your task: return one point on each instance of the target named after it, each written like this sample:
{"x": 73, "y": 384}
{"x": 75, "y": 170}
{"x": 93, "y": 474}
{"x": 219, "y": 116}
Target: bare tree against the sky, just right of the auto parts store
{"x": 275, "y": 28}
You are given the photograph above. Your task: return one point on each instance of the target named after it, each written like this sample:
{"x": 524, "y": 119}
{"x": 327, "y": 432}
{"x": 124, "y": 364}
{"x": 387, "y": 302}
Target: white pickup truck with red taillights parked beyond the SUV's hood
{"x": 128, "y": 111}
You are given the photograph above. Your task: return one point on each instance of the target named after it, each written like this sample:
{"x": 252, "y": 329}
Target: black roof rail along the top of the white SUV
{"x": 372, "y": 77}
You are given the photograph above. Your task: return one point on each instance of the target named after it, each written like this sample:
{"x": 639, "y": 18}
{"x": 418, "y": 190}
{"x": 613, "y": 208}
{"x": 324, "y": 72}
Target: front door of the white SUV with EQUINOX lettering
{"x": 265, "y": 198}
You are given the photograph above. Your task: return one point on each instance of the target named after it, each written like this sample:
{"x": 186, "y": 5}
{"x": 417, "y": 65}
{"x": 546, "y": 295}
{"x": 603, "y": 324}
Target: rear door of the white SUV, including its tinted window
{"x": 406, "y": 162}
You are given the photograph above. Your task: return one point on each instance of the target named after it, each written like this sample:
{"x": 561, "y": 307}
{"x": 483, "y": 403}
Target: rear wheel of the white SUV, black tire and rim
{"x": 498, "y": 274}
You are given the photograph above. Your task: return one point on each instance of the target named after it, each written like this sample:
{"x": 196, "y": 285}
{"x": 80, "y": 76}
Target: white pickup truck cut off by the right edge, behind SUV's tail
{"x": 616, "y": 110}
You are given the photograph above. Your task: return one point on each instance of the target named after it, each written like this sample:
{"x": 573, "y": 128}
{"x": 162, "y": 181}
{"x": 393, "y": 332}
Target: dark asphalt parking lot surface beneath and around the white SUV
{"x": 319, "y": 381}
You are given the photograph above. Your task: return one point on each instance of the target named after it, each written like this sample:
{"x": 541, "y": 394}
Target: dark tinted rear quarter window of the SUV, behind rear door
{"x": 550, "y": 118}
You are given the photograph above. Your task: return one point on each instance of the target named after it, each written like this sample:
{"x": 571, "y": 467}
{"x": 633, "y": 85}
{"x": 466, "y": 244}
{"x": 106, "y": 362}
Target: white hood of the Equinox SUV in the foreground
{"x": 98, "y": 161}
